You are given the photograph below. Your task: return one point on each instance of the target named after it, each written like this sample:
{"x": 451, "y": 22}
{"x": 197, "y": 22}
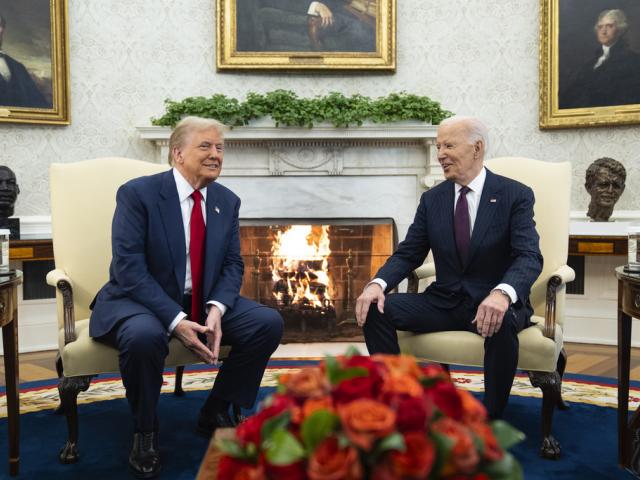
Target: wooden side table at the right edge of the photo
{"x": 628, "y": 432}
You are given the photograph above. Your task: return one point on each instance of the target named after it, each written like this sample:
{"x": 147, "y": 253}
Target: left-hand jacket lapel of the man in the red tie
{"x": 171, "y": 215}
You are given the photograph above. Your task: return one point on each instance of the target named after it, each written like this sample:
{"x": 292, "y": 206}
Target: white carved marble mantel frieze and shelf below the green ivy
{"x": 262, "y": 149}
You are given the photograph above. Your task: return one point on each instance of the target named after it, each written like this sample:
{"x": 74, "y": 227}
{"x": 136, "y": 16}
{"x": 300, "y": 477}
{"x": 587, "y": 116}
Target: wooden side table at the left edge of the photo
{"x": 9, "y": 323}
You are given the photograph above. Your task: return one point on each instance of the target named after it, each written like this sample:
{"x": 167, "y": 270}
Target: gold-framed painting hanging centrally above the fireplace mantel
{"x": 306, "y": 35}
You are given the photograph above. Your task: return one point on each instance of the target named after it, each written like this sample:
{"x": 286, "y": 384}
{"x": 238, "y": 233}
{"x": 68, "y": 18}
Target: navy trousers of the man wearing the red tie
{"x": 253, "y": 331}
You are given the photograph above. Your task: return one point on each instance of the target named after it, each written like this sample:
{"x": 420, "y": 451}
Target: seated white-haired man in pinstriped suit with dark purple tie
{"x": 479, "y": 227}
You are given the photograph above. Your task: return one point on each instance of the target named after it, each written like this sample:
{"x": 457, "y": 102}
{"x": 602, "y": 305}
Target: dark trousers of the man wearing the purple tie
{"x": 416, "y": 312}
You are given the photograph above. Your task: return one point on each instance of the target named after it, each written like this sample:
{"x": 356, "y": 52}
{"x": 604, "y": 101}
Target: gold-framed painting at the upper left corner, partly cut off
{"x": 34, "y": 66}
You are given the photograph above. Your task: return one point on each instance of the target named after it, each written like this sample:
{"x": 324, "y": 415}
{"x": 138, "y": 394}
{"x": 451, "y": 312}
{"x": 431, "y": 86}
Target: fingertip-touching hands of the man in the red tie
{"x": 187, "y": 332}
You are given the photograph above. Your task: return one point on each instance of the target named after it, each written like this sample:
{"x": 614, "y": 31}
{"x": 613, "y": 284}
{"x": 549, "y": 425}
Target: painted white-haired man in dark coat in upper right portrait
{"x": 612, "y": 75}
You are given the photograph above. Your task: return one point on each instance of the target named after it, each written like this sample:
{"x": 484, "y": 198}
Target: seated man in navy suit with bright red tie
{"x": 176, "y": 272}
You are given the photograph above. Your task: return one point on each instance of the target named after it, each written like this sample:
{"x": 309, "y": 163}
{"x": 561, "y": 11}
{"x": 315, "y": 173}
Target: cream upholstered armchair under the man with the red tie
{"x": 82, "y": 204}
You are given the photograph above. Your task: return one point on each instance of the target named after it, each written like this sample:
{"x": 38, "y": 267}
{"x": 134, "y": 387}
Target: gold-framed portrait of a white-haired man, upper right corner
{"x": 589, "y": 63}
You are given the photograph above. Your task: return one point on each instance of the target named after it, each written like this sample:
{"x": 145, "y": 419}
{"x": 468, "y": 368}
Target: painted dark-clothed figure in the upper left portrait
{"x": 17, "y": 88}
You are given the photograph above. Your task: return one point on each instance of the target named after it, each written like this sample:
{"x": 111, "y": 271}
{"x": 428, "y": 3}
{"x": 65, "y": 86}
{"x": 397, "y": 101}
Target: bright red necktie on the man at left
{"x": 196, "y": 256}
